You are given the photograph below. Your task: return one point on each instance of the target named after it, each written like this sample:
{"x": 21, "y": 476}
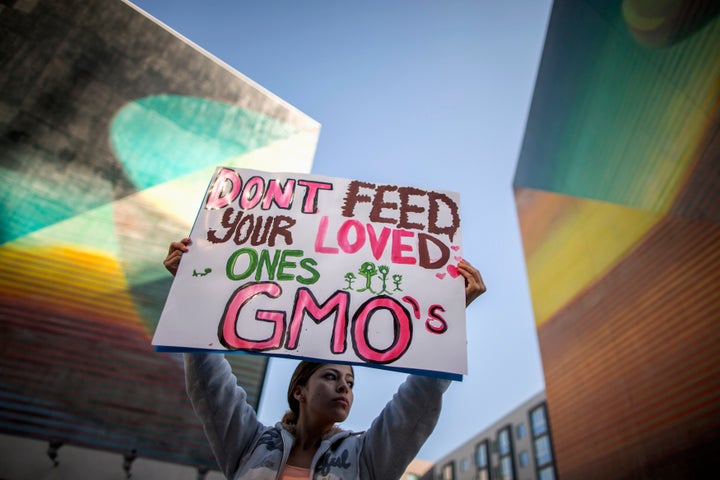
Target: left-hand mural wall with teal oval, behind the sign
{"x": 110, "y": 127}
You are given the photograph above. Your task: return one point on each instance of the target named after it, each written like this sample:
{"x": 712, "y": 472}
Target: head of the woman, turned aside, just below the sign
{"x": 327, "y": 397}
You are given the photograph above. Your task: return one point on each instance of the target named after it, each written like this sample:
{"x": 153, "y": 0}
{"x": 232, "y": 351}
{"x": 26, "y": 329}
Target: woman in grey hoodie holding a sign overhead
{"x": 306, "y": 443}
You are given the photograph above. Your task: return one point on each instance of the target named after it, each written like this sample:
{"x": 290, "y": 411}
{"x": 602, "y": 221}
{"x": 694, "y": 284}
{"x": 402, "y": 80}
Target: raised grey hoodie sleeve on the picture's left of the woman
{"x": 230, "y": 423}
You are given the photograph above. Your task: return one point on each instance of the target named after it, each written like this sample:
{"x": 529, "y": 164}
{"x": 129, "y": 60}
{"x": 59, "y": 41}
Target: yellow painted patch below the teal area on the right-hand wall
{"x": 589, "y": 241}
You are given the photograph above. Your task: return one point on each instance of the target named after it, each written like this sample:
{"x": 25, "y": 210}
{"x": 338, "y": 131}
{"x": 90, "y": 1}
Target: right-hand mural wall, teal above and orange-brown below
{"x": 618, "y": 196}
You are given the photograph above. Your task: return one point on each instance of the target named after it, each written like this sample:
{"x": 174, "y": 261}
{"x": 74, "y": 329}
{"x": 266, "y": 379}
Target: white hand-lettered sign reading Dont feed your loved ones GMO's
{"x": 322, "y": 268}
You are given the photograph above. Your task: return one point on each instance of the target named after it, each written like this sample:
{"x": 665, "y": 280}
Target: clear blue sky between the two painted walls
{"x": 432, "y": 94}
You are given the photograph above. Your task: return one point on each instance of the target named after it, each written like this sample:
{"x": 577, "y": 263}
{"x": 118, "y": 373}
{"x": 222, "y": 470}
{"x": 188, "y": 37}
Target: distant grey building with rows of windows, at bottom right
{"x": 516, "y": 447}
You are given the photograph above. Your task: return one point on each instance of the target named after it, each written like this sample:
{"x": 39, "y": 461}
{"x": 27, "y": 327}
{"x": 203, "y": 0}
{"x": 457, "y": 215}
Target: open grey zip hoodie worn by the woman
{"x": 246, "y": 449}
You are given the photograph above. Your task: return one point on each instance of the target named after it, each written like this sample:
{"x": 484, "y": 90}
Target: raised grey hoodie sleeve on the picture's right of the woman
{"x": 397, "y": 434}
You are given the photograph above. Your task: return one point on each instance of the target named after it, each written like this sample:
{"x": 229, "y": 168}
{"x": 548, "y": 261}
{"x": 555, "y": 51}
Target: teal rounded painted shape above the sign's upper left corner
{"x": 163, "y": 137}
